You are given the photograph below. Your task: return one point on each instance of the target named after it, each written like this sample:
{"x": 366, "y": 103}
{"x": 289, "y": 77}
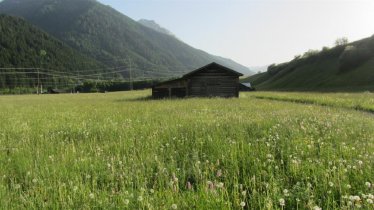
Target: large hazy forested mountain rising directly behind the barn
{"x": 112, "y": 38}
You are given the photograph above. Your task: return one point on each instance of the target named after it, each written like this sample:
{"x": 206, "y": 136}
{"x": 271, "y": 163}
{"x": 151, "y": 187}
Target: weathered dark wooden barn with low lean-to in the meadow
{"x": 212, "y": 80}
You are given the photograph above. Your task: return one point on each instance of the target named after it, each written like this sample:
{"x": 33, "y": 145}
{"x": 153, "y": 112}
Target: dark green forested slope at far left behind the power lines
{"x": 21, "y": 45}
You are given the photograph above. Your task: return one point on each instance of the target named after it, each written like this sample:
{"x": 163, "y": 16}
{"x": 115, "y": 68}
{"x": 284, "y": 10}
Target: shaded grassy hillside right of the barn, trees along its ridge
{"x": 348, "y": 67}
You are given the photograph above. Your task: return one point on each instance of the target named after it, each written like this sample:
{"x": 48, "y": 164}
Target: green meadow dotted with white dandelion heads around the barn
{"x": 123, "y": 151}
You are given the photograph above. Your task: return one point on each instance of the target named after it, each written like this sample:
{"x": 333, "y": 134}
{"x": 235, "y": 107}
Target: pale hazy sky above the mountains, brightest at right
{"x": 256, "y": 32}
